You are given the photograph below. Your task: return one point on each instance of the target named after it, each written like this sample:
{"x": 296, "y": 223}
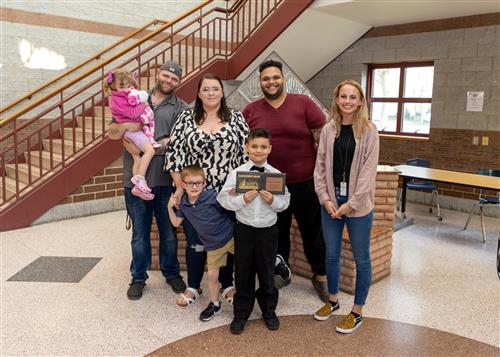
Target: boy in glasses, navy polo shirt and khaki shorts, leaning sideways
{"x": 214, "y": 225}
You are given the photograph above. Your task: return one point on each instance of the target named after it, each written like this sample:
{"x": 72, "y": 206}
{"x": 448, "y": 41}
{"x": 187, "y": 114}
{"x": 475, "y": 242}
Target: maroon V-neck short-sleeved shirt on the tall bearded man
{"x": 294, "y": 150}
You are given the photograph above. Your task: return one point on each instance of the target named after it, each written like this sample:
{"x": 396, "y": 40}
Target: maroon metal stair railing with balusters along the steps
{"x": 70, "y": 119}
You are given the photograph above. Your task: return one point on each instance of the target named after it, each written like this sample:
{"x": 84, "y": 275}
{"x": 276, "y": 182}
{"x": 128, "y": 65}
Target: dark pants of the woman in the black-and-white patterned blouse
{"x": 196, "y": 257}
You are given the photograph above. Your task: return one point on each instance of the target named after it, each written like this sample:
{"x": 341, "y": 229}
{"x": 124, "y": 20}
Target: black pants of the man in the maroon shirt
{"x": 304, "y": 205}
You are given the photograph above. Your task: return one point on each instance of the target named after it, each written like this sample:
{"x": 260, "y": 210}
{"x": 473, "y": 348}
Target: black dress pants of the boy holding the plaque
{"x": 255, "y": 253}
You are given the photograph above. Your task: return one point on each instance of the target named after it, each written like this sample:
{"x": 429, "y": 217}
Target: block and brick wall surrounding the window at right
{"x": 465, "y": 59}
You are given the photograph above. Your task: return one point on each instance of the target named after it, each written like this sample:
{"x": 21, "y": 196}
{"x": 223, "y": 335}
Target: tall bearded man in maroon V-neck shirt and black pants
{"x": 295, "y": 123}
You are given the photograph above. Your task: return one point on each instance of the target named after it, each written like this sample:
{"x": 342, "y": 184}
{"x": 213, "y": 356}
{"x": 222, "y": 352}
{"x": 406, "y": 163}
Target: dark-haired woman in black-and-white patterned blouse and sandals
{"x": 212, "y": 136}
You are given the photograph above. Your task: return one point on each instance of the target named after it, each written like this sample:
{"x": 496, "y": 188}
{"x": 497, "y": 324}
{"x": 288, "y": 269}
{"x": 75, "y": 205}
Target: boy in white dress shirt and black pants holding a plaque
{"x": 255, "y": 236}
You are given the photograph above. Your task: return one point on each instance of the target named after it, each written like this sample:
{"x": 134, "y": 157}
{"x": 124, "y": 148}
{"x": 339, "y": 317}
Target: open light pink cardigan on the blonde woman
{"x": 363, "y": 170}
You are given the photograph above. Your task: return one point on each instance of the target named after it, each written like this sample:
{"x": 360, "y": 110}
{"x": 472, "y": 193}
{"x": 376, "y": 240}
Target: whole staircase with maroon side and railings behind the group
{"x": 53, "y": 142}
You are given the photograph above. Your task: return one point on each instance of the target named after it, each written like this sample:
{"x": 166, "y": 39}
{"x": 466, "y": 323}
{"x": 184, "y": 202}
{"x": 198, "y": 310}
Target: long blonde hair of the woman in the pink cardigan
{"x": 361, "y": 119}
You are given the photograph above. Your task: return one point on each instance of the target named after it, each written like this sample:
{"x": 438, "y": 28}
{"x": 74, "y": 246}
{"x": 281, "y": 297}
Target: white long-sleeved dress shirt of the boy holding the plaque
{"x": 256, "y": 213}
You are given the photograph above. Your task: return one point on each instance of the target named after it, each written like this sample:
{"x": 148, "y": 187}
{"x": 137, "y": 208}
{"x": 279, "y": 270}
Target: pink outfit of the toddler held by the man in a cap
{"x": 126, "y": 106}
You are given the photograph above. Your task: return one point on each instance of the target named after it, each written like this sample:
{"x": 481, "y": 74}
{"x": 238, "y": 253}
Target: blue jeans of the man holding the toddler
{"x": 141, "y": 213}
